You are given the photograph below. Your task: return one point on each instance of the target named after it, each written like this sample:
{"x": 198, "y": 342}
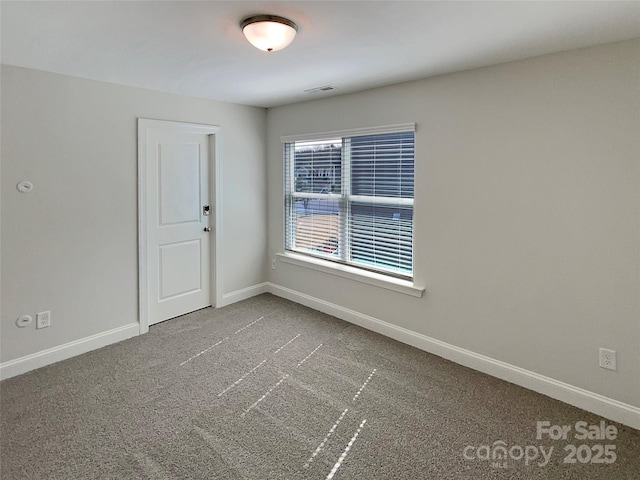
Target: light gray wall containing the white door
{"x": 70, "y": 246}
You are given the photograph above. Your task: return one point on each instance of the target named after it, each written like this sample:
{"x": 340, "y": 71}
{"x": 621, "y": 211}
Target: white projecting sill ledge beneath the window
{"x": 371, "y": 278}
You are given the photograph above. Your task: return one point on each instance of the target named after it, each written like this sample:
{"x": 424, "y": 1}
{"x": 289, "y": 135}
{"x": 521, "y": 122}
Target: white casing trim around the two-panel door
{"x": 215, "y": 196}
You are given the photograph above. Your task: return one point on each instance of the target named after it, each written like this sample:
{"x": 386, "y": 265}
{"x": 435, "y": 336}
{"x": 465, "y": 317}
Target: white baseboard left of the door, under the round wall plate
{"x": 62, "y": 352}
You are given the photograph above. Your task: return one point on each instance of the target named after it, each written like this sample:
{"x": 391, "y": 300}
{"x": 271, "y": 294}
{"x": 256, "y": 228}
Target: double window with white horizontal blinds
{"x": 349, "y": 198}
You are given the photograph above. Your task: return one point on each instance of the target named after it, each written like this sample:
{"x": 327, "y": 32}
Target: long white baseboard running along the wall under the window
{"x": 578, "y": 397}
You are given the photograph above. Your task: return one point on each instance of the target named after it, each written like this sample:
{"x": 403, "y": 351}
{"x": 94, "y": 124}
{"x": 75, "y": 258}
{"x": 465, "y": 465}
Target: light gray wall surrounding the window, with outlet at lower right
{"x": 527, "y": 231}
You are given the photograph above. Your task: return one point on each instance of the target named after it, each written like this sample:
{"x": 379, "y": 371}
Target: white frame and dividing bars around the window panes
{"x": 345, "y": 199}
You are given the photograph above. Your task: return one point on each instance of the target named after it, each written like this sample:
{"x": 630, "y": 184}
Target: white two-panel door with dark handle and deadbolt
{"x": 178, "y": 220}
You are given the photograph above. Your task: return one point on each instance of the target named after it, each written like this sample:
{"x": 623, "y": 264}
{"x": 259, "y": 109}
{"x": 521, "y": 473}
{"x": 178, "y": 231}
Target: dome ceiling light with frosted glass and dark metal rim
{"x": 269, "y": 32}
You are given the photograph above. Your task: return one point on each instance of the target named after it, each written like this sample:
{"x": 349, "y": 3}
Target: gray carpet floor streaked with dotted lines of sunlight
{"x": 268, "y": 389}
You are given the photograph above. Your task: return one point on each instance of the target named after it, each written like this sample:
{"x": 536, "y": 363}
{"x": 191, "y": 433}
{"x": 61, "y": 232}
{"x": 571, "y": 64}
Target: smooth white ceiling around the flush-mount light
{"x": 197, "y": 48}
